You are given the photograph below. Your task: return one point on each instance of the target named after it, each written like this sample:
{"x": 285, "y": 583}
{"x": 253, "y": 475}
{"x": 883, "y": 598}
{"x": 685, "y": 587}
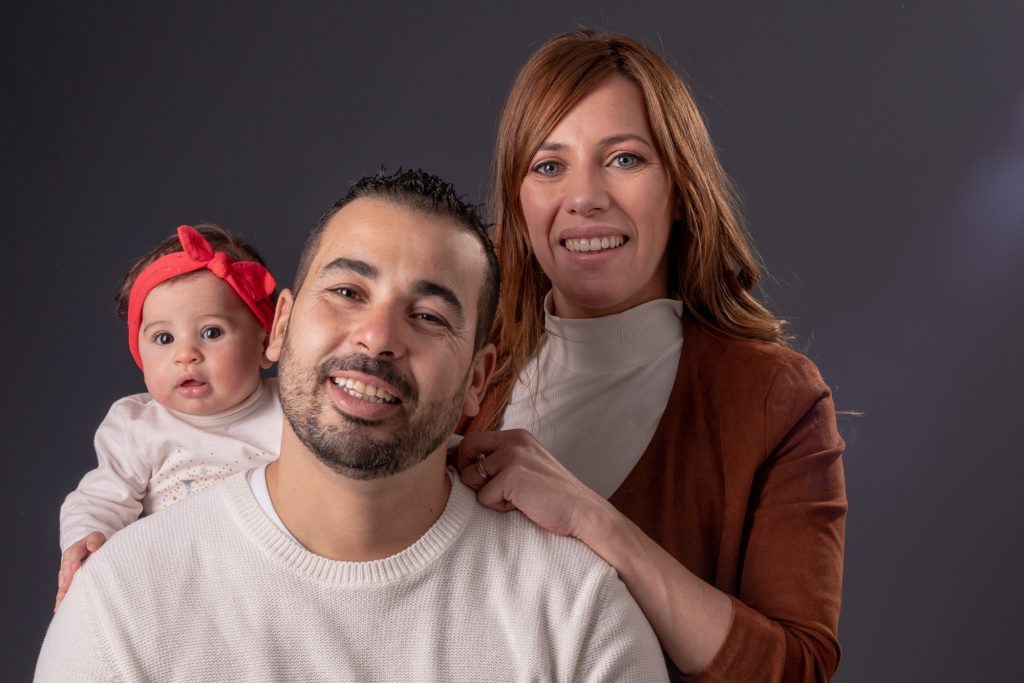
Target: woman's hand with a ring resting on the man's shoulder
{"x": 510, "y": 471}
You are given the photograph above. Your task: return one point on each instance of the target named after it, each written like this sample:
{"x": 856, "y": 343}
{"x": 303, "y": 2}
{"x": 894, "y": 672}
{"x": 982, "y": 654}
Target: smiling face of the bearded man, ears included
{"x": 376, "y": 350}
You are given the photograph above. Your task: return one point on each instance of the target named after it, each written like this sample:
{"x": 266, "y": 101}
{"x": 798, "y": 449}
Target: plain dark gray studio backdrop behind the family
{"x": 880, "y": 149}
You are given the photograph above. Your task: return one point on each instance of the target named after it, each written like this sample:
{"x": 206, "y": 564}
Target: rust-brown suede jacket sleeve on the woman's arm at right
{"x": 786, "y": 615}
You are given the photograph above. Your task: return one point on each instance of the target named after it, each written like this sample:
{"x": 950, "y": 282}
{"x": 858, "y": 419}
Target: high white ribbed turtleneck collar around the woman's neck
{"x": 634, "y": 337}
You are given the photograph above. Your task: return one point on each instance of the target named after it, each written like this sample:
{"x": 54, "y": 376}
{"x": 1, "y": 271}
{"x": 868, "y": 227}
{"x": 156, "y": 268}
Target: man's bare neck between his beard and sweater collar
{"x": 352, "y": 520}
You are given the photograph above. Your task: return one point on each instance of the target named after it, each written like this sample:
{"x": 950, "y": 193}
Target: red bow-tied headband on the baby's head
{"x": 251, "y": 282}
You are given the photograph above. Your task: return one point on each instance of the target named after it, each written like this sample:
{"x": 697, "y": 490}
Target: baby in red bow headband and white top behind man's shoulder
{"x": 199, "y": 309}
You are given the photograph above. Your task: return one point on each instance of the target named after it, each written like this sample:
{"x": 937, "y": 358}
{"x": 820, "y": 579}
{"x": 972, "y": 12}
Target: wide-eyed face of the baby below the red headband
{"x": 202, "y": 349}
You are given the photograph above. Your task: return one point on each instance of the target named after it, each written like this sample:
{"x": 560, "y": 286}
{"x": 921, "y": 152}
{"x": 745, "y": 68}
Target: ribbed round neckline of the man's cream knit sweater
{"x": 248, "y": 514}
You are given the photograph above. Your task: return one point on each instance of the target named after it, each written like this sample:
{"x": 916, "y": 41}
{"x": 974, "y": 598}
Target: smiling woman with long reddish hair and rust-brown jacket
{"x": 663, "y": 420}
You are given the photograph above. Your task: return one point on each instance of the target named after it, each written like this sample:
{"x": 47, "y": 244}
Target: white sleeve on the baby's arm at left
{"x": 110, "y": 497}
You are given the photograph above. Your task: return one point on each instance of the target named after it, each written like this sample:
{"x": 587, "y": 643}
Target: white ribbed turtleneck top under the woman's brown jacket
{"x": 594, "y": 394}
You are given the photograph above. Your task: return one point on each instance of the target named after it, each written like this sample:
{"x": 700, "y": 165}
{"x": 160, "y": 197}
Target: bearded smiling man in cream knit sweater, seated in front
{"x": 358, "y": 556}
